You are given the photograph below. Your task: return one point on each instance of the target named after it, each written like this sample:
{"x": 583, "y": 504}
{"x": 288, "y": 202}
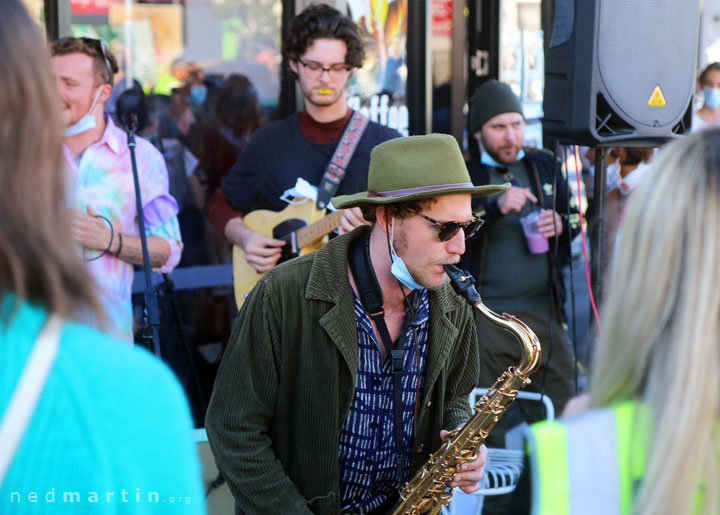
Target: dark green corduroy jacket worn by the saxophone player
{"x": 287, "y": 379}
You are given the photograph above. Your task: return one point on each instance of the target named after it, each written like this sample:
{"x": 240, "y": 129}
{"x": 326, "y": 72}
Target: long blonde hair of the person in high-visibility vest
{"x": 661, "y": 325}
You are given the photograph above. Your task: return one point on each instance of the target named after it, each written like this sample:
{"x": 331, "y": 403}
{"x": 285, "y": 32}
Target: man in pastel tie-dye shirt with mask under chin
{"x": 98, "y": 159}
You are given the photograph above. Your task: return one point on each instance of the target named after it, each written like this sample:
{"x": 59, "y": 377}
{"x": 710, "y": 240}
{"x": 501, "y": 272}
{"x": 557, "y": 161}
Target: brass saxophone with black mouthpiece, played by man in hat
{"x": 428, "y": 490}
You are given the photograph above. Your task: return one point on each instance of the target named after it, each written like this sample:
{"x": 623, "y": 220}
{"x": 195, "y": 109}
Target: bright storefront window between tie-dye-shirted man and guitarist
{"x": 158, "y": 43}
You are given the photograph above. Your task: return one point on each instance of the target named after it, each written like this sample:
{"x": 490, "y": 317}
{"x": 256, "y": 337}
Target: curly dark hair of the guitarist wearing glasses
{"x": 322, "y": 21}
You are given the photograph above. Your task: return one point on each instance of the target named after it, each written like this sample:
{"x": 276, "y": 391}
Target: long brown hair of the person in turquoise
{"x": 37, "y": 259}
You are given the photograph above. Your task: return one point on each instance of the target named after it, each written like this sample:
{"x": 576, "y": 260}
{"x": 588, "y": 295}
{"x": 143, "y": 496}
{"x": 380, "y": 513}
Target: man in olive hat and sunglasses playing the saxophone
{"x": 303, "y": 415}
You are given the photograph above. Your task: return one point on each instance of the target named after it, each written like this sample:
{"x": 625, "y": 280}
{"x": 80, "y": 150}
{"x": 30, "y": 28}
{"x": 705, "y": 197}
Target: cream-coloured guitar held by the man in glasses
{"x": 301, "y": 225}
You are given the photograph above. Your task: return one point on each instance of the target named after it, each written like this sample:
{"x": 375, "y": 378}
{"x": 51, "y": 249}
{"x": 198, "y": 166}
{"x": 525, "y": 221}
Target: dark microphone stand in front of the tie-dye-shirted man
{"x": 152, "y": 313}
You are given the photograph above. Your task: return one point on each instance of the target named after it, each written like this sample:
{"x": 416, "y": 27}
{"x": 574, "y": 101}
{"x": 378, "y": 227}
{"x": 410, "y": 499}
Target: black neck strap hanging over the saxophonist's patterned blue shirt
{"x": 371, "y": 299}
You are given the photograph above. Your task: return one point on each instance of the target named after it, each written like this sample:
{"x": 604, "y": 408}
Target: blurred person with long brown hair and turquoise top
{"x": 102, "y": 427}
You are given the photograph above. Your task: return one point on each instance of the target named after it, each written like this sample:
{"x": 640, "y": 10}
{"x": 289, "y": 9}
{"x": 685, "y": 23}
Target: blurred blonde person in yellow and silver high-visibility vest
{"x": 649, "y": 444}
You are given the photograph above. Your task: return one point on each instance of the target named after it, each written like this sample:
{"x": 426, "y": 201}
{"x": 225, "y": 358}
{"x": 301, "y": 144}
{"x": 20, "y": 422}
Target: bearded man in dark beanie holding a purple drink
{"x": 512, "y": 279}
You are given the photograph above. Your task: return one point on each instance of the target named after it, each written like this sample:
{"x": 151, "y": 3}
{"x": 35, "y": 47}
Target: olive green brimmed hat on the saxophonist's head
{"x": 415, "y": 168}
